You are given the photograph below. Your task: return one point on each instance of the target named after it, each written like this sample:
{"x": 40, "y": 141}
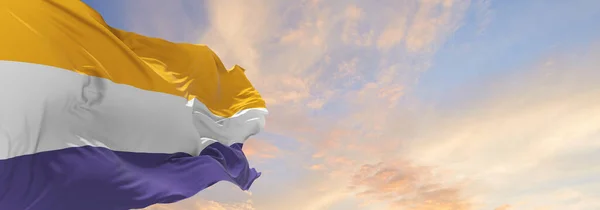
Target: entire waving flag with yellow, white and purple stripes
{"x": 94, "y": 117}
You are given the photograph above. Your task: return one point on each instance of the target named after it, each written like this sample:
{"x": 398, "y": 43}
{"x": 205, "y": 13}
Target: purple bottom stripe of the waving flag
{"x": 95, "y": 178}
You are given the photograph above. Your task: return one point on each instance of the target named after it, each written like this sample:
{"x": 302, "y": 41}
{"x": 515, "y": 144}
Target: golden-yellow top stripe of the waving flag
{"x": 69, "y": 34}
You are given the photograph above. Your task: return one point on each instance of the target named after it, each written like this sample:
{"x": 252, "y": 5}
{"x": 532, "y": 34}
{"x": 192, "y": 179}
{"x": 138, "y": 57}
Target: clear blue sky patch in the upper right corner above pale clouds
{"x": 522, "y": 31}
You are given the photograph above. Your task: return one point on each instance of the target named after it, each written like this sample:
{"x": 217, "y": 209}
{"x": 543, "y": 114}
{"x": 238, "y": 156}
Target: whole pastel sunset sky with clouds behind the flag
{"x": 403, "y": 104}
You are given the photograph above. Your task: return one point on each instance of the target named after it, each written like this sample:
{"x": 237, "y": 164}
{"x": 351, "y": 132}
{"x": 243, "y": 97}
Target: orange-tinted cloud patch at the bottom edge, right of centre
{"x": 407, "y": 186}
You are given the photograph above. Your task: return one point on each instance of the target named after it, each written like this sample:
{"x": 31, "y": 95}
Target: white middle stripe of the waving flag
{"x": 45, "y": 108}
